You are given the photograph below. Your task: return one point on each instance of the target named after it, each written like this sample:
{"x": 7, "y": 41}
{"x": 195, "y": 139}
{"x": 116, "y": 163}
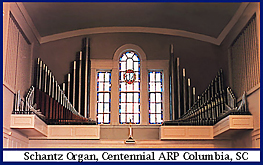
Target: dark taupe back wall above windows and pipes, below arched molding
{"x": 201, "y": 60}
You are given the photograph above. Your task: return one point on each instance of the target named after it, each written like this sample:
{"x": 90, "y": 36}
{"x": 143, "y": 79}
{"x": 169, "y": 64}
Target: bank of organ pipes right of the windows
{"x": 215, "y": 102}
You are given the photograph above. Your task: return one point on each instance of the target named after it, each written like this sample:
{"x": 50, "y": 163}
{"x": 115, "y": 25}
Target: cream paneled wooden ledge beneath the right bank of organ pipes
{"x": 226, "y": 128}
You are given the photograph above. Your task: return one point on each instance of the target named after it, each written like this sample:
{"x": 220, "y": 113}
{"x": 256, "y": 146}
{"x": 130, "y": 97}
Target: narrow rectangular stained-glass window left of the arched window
{"x": 103, "y": 97}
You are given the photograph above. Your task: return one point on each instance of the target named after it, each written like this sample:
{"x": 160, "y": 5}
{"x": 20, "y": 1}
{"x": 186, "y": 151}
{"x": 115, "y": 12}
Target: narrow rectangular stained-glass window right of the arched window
{"x": 155, "y": 97}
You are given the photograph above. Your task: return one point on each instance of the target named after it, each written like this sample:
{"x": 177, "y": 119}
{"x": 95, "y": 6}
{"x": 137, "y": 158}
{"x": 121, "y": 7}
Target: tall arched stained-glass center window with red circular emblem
{"x": 129, "y": 88}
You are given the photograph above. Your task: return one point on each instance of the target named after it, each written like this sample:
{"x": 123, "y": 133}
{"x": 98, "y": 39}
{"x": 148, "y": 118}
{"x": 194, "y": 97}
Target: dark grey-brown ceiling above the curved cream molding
{"x": 202, "y": 18}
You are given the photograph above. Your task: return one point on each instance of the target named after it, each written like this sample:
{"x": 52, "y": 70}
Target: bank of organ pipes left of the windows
{"x": 59, "y": 104}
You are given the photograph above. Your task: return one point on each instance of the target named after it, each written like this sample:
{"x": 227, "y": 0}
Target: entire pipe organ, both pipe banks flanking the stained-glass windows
{"x": 68, "y": 102}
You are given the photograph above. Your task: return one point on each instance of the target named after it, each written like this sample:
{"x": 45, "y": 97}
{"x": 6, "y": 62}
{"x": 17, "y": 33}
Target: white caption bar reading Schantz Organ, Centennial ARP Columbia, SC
{"x": 130, "y": 155}
